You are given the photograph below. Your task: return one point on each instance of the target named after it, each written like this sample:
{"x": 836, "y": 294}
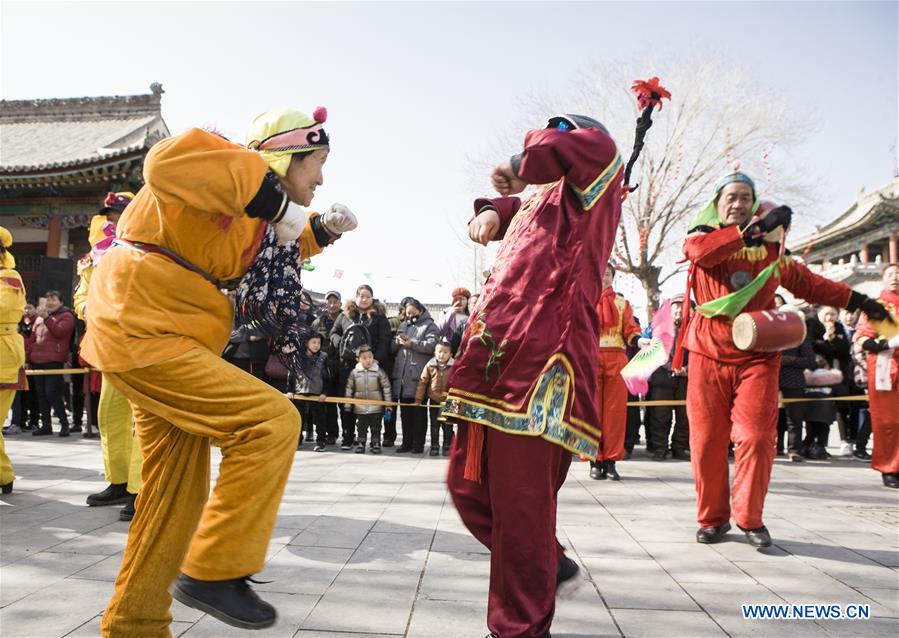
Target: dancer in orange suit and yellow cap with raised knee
{"x": 211, "y": 215}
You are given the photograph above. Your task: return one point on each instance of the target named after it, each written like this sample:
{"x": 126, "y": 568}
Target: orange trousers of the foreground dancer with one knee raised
{"x": 180, "y": 406}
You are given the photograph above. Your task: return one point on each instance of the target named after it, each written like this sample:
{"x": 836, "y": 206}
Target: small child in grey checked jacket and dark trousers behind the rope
{"x": 368, "y": 381}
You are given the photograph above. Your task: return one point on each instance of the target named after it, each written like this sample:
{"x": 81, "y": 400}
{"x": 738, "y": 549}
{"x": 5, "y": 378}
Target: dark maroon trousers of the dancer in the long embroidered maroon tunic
{"x": 512, "y": 511}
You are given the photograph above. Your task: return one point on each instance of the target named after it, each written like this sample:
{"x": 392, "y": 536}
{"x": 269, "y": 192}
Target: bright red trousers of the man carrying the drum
{"x": 739, "y": 403}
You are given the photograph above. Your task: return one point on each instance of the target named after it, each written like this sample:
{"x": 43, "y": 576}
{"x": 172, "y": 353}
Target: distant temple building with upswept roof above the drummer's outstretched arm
{"x": 855, "y": 246}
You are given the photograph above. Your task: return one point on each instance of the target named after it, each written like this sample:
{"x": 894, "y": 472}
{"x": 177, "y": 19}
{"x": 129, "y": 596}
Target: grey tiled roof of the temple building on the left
{"x": 62, "y": 134}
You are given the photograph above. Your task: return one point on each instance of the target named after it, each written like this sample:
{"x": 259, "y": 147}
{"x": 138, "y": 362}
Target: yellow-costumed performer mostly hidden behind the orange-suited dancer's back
{"x": 121, "y": 449}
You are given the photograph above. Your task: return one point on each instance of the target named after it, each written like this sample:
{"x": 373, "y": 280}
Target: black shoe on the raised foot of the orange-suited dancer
{"x": 231, "y": 601}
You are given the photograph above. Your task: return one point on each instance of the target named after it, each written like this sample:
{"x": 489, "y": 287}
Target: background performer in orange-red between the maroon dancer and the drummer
{"x": 617, "y": 330}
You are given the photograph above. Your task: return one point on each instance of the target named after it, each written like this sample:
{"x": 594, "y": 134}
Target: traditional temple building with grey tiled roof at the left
{"x": 59, "y": 158}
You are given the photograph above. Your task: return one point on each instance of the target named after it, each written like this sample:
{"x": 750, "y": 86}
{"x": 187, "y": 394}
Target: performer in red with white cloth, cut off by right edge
{"x": 881, "y": 342}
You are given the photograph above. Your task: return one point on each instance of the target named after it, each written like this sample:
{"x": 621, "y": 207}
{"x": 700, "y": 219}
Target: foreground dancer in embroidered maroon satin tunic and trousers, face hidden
{"x": 523, "y": 388}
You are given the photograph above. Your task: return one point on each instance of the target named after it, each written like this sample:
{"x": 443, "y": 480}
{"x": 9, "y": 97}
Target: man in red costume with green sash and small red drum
{"x": 736, "y": 266}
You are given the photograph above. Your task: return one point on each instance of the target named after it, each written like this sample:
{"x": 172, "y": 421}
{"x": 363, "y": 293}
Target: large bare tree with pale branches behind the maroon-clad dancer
{"x": 717, "y": 116}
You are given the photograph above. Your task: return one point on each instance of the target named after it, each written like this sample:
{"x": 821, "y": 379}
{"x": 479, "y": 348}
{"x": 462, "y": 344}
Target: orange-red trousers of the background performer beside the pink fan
{"x": 612, "y": 395}
